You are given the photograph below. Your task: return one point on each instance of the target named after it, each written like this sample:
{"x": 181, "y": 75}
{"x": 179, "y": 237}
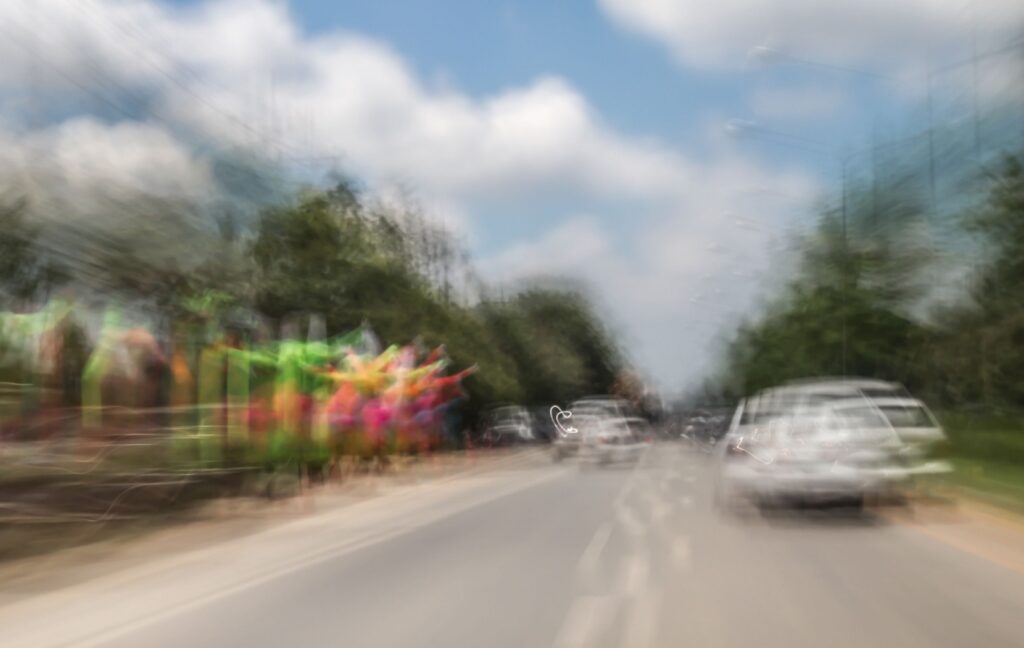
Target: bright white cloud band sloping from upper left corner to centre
{"x": 245, "y": 61}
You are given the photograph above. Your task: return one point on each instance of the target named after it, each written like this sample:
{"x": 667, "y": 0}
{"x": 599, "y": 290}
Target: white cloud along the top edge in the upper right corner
{"x": 719, "y": 34}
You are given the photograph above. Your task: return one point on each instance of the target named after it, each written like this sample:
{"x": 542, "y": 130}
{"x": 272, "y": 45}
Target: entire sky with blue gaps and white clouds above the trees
{"x": 588, "y": 139}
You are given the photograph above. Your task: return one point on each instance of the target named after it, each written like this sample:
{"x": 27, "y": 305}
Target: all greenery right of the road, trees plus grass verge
{"x": 882, "y": 295}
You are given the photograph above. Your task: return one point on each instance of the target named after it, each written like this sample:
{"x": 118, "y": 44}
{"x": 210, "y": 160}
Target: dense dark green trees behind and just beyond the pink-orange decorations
{"x": 331, "y": 255}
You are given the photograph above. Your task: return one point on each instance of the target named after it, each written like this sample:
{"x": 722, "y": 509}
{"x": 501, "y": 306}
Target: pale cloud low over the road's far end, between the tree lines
{"x": 680, "y": 278}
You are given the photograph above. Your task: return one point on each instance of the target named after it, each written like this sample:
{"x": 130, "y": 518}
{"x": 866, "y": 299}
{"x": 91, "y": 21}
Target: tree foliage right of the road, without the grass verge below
{"x": 856, "y": 306}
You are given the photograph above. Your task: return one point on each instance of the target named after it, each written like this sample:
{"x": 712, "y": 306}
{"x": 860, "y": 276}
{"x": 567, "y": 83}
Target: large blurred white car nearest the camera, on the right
{"x": 839, "y": 452}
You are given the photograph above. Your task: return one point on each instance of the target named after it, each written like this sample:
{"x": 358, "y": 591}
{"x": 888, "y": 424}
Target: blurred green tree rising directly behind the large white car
{"x": 847, "y": 311}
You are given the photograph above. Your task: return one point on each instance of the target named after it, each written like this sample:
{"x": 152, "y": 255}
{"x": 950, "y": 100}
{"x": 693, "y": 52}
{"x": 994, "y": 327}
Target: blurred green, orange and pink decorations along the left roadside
{"x": 285, "y": 401}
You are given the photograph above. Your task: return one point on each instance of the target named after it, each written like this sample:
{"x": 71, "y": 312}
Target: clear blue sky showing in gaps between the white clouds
{"x": 632, "y": 83}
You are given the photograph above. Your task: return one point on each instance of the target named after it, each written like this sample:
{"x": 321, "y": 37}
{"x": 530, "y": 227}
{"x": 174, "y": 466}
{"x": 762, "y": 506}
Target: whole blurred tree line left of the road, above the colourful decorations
{"x": 333, "y": 256}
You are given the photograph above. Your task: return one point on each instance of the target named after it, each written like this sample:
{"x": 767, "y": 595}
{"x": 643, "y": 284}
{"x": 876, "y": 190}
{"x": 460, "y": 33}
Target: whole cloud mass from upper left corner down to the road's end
{"x": 242, "y": 72}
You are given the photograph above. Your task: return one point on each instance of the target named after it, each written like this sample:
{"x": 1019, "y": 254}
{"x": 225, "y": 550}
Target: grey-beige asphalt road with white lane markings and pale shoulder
{"x": 537, "y": 554}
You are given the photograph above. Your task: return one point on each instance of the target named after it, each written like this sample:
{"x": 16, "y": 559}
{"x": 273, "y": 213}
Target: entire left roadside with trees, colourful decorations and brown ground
{"x": 189, "y": 288}
